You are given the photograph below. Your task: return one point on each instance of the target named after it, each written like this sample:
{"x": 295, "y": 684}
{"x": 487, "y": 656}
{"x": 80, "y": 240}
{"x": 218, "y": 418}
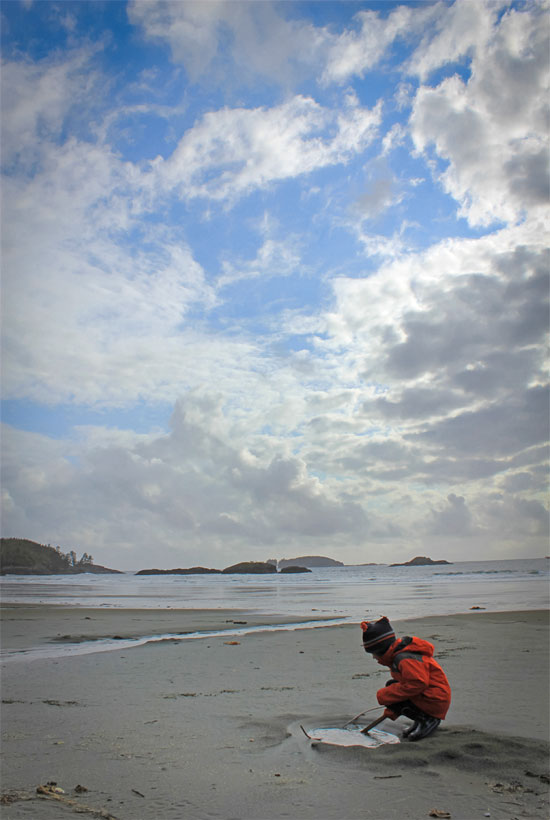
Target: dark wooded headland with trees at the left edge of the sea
{"x": 18, "y": 556}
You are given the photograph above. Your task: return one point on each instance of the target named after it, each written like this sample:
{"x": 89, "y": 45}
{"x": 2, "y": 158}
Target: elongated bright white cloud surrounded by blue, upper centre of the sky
{"x": 231, "y": 152}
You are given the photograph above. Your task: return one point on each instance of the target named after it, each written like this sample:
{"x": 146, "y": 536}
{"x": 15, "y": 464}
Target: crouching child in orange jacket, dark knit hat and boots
{"x": 418, "y": 688}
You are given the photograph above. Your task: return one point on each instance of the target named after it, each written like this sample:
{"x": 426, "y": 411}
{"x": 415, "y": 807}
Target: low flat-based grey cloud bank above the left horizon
{"x": 197, "y": 490}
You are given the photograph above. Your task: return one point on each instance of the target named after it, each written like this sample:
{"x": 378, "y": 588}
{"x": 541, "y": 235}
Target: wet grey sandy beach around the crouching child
{"x": 210, "y": 728}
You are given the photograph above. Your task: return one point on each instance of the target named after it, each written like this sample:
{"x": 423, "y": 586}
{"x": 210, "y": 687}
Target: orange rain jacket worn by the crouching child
{"x": 419, "y": 677}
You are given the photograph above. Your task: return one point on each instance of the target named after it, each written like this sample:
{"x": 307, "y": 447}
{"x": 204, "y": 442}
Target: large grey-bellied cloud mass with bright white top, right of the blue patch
{"x": 450, "y": 347}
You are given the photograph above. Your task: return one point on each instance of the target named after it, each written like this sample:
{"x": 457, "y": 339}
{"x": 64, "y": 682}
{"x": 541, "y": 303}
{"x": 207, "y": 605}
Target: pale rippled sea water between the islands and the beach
{"x": 350, "y": 592}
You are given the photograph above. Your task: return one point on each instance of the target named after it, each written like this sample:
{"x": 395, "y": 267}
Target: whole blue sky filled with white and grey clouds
{"x": 275, "y": 279}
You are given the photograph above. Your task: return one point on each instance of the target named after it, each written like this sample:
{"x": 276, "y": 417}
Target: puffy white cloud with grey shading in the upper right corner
{"x": 491, "y": 128}
